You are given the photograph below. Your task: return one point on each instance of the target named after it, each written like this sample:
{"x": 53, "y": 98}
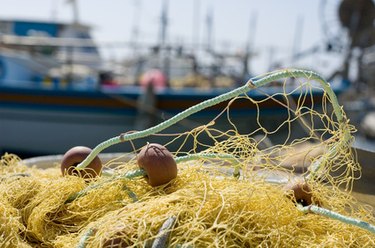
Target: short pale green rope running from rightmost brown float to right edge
{"x": 333, "y": 215}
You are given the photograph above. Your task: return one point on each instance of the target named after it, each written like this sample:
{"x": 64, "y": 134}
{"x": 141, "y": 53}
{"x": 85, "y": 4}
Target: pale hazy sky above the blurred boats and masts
{"x": 275, "y": 29}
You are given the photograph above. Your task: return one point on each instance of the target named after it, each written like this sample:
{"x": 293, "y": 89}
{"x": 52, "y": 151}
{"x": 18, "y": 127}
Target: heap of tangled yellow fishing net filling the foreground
{"x": 232, "y": 193}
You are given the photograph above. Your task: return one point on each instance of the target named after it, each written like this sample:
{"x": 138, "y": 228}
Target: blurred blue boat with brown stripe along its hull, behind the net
{"x": 54, "y": 94}
